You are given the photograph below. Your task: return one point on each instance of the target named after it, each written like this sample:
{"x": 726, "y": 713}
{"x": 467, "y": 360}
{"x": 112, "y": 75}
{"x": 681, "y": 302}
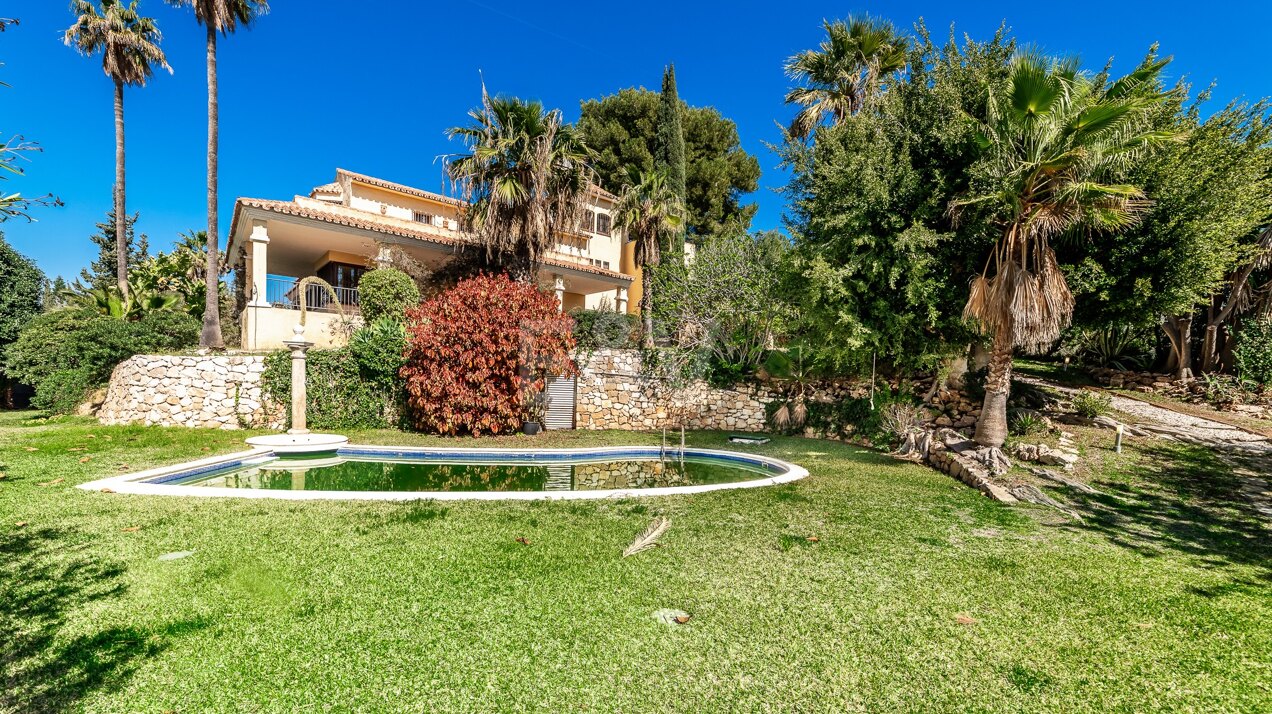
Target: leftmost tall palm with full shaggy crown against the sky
{"x": 130, "y": 49}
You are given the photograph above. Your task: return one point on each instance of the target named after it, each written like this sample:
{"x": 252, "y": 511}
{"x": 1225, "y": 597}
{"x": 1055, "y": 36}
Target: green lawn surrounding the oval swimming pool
{"x": 919, "y": 595}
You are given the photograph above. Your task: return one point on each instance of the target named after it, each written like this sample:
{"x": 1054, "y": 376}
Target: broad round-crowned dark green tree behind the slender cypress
{"x": 623, "y": 130}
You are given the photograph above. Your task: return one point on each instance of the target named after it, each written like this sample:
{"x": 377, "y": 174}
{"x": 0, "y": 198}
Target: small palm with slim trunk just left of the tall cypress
{"x": 649, "y": 211}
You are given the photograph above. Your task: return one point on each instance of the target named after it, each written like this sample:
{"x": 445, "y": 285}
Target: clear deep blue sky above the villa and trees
{"x": 372, "y": 86}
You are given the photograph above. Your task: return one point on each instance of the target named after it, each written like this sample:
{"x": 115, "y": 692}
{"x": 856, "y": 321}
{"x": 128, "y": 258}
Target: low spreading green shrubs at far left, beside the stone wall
{"x": 68, "y": 353}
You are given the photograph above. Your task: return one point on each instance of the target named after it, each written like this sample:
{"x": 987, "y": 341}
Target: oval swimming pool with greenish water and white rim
{"x": 403, "y": 474}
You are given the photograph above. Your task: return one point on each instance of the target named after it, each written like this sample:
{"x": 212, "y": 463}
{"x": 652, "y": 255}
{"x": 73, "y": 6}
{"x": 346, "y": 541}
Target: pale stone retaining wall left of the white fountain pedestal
{"x": 219, "y": 393}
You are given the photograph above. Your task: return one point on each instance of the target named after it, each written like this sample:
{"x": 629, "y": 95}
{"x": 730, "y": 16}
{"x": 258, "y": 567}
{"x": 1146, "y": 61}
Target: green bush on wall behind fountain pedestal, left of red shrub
{"x": 342, "y": 394}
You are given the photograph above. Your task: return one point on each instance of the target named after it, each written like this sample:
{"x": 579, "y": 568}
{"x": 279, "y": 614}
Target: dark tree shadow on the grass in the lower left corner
{"x": 45, "y": 664}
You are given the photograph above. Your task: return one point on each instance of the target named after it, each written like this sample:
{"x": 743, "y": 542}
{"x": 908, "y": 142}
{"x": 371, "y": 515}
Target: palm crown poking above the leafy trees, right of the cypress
{"x": 845, "y": 73}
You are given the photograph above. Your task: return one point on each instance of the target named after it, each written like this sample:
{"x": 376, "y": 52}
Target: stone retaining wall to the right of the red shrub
{"x": 612, "y": 394}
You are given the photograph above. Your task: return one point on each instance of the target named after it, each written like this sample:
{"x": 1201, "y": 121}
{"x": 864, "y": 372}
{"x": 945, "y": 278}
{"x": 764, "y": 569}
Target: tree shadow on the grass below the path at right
{"x": 1184, "y": 500}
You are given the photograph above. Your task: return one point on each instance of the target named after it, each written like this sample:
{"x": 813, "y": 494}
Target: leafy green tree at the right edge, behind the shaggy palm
{"x": 1210, "y": 194}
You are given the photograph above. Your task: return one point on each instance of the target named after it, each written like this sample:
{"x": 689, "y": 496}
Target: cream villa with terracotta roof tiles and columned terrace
{"x": 340, "y": 228}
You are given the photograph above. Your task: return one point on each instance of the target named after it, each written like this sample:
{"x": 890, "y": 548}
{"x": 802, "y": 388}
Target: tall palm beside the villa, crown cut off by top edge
{"x": 222, "y": 17}
